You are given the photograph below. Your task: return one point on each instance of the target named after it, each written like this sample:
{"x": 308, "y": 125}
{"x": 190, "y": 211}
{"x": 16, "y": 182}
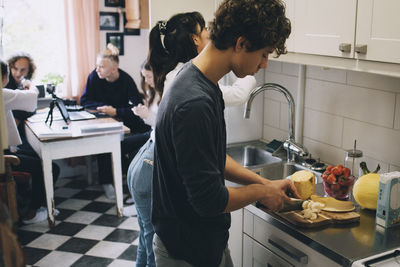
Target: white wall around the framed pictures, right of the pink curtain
{"x": 135, "y": 46}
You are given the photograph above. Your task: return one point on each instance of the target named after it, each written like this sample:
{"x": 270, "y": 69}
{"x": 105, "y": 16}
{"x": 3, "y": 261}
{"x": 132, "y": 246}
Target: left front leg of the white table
{"x": 48, "y": 185}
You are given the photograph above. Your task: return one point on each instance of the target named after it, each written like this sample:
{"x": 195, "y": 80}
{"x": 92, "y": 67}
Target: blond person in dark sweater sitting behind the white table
{"x": 112, "y": 91}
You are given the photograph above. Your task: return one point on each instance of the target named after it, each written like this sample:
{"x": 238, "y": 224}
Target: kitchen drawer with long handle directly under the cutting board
{"x": 282, "y": 244}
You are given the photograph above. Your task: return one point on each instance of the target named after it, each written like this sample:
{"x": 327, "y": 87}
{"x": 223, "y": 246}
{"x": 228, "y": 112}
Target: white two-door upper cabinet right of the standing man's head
{"x": 363, "y": 29}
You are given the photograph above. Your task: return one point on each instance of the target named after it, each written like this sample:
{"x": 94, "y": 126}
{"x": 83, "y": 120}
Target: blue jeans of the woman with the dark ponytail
{"x": 140, "y": 179}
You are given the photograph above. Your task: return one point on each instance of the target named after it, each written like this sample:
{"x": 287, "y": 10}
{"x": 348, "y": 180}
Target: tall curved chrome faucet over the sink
{"x": 290, "y": 145}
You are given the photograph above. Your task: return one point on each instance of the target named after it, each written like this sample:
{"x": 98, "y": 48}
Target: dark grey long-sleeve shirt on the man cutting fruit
{"x": 189, "y": 193}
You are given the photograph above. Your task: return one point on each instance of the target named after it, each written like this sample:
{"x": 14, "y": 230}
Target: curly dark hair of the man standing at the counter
{"x": 262, "y": 22}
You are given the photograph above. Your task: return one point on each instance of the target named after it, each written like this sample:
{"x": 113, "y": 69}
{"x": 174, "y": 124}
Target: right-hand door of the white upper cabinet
{"x": 378, "y": 30}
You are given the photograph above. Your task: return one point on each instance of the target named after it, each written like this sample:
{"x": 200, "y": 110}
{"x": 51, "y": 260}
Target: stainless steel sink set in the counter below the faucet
{"x": 254, "y": 157}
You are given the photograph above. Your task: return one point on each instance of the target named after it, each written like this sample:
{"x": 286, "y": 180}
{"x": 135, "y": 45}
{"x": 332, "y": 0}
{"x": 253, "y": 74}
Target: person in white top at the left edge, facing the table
{"x": 29, "y": 161}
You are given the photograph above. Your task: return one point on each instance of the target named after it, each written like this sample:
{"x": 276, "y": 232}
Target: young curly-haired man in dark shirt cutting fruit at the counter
{"x": 191, "y": 203}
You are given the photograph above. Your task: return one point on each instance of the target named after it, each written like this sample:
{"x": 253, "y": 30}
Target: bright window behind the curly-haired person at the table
{"x": 36, "y": 27}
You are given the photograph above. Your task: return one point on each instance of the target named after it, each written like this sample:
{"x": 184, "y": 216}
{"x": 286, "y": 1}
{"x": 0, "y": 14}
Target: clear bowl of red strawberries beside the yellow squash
{"x": 338, "y": 182}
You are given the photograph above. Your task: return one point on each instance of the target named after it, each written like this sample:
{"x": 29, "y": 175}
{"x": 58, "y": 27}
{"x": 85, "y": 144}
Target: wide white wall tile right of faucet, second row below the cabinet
{"x": 358, "y": 103}
